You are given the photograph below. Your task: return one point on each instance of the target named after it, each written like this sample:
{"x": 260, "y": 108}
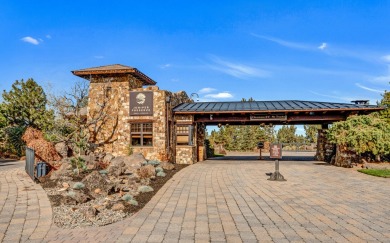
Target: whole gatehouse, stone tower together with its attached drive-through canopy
{"x": 167, "y": 126}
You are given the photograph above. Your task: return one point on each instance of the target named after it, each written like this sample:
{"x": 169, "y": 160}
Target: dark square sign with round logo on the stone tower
{"x": 141, "y": 103}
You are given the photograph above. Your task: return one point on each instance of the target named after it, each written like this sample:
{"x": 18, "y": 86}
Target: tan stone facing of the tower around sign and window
{"x": 115, "y": 132}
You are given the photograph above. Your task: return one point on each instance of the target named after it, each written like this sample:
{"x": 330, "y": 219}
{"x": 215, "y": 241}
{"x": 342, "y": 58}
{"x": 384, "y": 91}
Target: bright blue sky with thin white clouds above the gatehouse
{"x": 330, "y": 50}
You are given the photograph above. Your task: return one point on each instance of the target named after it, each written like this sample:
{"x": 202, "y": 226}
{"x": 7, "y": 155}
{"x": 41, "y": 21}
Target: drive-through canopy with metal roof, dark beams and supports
{"x": 281, "y": 112}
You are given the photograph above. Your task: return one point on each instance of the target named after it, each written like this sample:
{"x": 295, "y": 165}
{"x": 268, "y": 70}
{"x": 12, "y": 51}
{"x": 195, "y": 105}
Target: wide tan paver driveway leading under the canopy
{"x": 232, "y": 200}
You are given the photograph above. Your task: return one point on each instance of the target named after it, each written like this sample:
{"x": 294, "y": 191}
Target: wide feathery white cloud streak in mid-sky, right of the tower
{"x": 237, "y": 70}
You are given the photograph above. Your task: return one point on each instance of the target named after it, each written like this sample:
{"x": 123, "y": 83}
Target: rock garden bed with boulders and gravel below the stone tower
{"x": 101, "y": 190}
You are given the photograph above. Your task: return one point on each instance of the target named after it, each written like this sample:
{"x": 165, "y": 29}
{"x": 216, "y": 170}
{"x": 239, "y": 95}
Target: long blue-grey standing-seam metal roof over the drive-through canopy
{"x": 267, "y": 106}
